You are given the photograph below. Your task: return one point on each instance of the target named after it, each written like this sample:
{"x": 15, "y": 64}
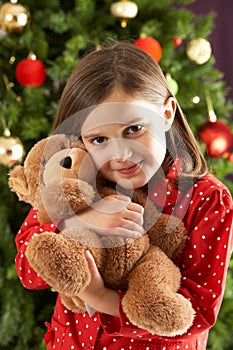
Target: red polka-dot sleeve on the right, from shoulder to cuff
{"x": 203, "y": 265}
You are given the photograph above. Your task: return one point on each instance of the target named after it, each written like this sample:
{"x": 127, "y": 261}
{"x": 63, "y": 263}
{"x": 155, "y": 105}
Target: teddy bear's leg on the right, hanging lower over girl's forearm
{"x": 152, "y": 302}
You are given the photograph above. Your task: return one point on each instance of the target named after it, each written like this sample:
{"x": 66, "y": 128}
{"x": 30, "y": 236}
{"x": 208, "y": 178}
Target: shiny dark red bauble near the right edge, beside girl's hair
{"x": 217, "y": 138}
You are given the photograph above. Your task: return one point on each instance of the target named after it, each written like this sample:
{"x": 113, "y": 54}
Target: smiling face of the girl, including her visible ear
{"x": 126, "y": 138}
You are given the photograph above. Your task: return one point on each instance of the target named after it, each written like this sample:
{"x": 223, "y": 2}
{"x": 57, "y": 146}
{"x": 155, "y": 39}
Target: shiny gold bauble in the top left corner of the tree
{"x": 13, "y": 16}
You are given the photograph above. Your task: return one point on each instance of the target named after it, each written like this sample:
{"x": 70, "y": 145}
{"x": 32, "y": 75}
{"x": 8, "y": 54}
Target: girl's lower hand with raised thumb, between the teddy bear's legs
{"x": 96, "y": 295}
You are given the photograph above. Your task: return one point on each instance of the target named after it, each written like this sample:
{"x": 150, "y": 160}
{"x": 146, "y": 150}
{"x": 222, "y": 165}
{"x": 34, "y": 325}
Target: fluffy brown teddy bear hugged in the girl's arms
{"x": 59, "y": 179}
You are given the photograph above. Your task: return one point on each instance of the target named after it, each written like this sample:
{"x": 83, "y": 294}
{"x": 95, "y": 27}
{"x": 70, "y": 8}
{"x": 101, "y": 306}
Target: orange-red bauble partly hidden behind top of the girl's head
{"x": 151, "y": 46}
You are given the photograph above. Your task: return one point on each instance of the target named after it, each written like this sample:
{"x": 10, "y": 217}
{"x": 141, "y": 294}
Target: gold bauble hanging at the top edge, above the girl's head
{"x": 125, "y": 10}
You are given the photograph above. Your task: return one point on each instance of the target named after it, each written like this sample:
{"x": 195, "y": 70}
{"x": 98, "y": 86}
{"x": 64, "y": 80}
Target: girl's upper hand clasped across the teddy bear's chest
{"x": 113, "y": 215}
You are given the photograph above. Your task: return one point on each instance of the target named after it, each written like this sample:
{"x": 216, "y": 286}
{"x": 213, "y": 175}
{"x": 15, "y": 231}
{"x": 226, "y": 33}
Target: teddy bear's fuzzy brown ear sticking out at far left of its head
{"x": 18, "y": 182}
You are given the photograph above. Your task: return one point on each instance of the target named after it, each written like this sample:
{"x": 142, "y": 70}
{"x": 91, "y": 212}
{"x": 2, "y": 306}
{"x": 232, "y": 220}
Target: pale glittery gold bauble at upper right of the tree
{"x": 199, "y": 50}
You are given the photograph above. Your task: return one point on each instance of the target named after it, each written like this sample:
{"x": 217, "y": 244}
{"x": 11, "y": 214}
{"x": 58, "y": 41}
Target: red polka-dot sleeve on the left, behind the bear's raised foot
{"x": 28, "y": 277}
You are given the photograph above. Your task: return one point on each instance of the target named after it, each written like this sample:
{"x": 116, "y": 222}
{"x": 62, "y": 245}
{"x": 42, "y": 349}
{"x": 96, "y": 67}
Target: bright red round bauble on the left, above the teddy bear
{"x": 30, "y": 72}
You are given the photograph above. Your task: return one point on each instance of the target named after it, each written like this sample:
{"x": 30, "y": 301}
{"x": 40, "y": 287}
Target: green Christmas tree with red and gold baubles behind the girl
{"x": 41, "y": 42}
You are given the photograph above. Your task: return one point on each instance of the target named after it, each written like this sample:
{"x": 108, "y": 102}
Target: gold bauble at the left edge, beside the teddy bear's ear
{"x": 11, "y": 149}
